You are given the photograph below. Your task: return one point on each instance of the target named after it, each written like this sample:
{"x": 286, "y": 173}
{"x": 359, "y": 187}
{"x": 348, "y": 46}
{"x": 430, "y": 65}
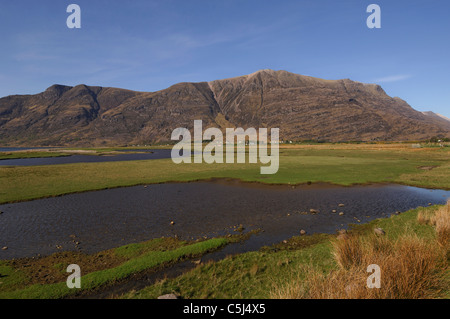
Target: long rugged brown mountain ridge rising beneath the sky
{"x": 303, "y": 107}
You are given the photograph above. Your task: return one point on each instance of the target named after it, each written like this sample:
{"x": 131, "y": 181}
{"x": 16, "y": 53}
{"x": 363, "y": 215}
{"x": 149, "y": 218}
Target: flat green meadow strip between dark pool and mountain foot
{"x": 338, "y": 164}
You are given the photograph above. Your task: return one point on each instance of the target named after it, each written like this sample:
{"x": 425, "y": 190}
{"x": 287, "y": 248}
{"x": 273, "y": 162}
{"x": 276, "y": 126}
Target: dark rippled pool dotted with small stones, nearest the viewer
{"x": 104, "y": 219}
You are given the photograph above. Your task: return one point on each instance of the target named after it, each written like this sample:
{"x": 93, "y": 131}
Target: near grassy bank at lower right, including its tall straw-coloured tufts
{"x": 413, "y": 261}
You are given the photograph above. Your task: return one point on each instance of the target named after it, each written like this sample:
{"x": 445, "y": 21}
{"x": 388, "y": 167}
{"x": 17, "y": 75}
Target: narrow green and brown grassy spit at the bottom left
{"x": 44, "y": 278}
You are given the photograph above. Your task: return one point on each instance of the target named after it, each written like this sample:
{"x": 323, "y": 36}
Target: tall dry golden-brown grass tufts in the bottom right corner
{"x": 411, "y": 268}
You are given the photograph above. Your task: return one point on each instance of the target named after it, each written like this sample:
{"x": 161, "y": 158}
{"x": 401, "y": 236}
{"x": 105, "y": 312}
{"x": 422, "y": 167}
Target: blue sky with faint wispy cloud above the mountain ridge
{"x": 150, "y": 45}
